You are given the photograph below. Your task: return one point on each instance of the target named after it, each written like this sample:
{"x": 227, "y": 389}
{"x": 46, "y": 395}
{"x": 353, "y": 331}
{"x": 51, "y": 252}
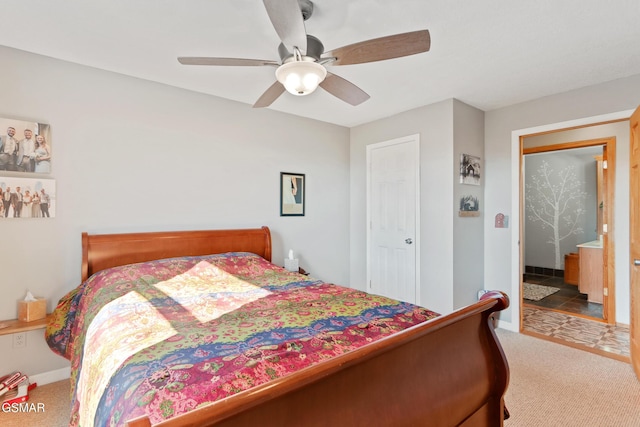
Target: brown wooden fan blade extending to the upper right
{"x": 381, "y": 48}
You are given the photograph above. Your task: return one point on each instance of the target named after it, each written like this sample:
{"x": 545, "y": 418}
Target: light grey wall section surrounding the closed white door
{"x": 439, "y": 160}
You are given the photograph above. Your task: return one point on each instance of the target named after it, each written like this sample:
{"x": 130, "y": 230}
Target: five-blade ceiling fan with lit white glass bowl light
{"x": 302, "y": 57}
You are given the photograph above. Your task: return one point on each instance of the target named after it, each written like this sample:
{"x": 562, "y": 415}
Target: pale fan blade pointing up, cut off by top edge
{"x": 286, "y": 18}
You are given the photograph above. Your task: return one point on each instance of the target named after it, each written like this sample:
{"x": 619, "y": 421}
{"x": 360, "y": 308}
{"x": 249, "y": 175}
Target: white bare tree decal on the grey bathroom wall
{"x": 557, "y": 202}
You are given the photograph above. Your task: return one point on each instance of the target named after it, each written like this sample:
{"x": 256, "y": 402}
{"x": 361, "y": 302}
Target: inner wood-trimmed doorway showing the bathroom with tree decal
{"x": 566, "y": 199}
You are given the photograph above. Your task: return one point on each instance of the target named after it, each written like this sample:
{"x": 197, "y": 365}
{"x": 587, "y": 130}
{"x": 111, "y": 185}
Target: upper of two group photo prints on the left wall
{"x": 25, "y": 146}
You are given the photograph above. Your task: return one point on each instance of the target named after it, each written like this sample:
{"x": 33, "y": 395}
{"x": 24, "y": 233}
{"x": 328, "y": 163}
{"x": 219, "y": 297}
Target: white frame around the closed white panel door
{"x": 413, "y": 139}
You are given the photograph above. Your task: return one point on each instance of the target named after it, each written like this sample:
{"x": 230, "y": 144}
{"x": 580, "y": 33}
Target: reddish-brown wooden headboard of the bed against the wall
{"x": 101, "y": 251}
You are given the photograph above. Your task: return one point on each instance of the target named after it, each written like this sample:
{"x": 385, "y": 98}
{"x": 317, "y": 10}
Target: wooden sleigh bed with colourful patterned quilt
{"x": 196, "y": 328}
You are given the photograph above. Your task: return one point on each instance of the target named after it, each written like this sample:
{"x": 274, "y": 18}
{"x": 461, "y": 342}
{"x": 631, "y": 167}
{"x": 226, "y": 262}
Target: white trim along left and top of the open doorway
{"x": 516, "y": 202}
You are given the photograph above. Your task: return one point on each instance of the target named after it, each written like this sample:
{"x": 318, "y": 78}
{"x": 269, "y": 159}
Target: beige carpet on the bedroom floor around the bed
{"x": 550, "y": 385}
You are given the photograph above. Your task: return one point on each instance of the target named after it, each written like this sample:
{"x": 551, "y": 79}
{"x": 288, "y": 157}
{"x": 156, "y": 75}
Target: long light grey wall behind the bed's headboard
{"x": 131, "y": 155}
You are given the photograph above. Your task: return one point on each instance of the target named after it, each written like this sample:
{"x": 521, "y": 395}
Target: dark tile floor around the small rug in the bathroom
{"x": 567, "y": 299}
